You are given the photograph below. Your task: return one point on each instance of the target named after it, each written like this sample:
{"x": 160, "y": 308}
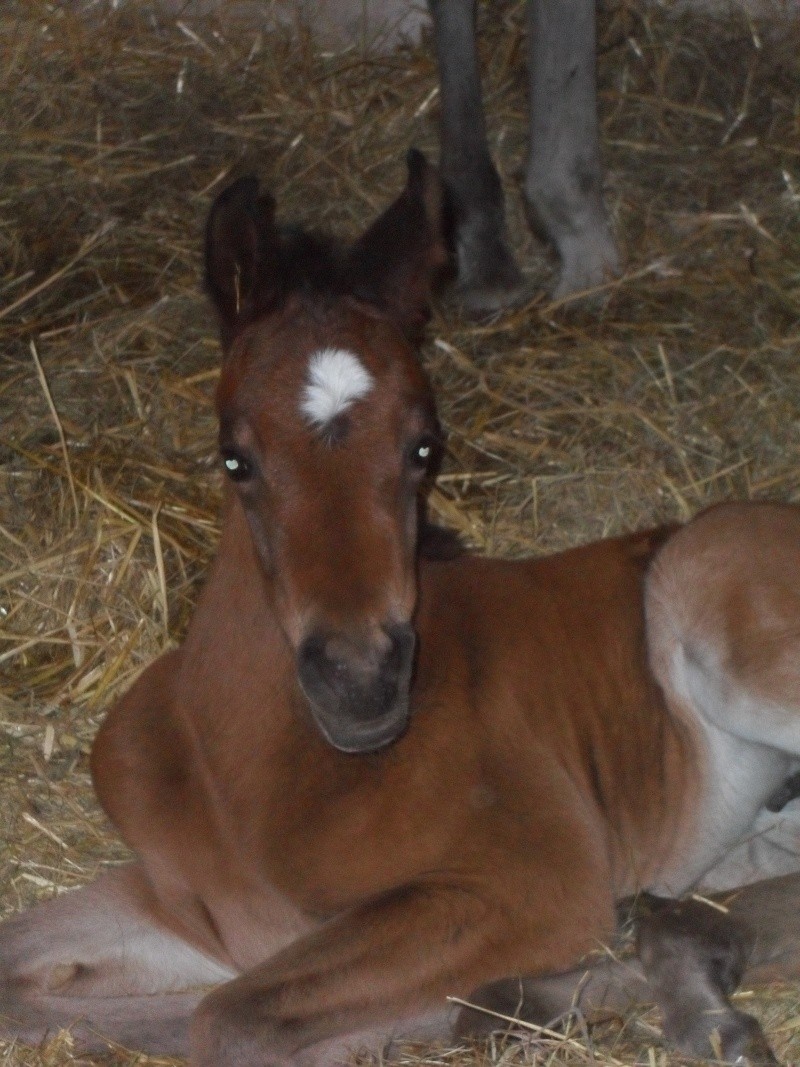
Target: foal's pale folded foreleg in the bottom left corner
{"x": 100, "y": 962}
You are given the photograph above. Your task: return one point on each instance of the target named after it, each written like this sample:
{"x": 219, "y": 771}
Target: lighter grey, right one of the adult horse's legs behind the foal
{"x": 564, "y": 185}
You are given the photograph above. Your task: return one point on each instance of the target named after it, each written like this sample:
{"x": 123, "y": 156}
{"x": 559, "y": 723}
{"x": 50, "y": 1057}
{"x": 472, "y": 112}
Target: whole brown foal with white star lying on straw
{"x": 372, "y": 778}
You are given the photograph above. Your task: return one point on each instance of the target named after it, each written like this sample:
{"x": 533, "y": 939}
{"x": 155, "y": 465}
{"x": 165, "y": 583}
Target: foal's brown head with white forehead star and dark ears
{"x": 329, "y": 433}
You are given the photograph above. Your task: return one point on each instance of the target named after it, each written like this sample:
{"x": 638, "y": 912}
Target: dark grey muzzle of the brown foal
{"x": 359, "y": 692}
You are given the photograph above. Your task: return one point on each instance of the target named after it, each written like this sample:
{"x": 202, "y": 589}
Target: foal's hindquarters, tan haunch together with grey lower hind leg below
{"x": 723, "y": 602}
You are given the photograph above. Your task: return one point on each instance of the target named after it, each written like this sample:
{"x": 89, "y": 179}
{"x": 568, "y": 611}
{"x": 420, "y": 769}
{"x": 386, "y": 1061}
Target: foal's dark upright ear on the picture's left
{"x": 242, "y": 256}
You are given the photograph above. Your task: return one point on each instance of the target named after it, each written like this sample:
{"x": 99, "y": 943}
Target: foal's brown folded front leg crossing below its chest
{"x": 381, "y": 967}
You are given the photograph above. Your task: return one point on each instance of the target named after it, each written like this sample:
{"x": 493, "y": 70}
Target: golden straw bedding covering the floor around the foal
{"x": 679, "y": 387}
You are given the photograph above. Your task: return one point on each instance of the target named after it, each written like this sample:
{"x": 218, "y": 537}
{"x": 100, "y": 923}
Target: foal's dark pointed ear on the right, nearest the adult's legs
{"x": 397, "y": 262}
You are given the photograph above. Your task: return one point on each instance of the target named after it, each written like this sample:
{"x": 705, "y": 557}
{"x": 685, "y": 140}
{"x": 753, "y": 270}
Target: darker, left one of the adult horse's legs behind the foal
{"x": 489, "y": 278}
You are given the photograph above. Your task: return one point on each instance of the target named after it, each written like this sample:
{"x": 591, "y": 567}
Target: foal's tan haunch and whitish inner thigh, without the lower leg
{"x": 723, "y": 604}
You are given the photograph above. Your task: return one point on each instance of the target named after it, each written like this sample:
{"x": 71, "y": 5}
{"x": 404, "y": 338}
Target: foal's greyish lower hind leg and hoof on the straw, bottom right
{"x": 691, "y": 959}
